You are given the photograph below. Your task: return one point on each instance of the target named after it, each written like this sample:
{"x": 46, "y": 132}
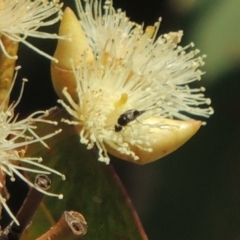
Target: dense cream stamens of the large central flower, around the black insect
{"x": 132, "y": 69}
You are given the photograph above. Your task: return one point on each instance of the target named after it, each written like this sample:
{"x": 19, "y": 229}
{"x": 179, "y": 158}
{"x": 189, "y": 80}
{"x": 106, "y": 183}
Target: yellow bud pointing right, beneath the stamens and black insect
{"x": 165, "y": 140}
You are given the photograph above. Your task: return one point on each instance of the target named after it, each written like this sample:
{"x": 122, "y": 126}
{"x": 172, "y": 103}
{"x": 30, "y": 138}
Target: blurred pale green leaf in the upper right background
{"x": 217, "y": 34}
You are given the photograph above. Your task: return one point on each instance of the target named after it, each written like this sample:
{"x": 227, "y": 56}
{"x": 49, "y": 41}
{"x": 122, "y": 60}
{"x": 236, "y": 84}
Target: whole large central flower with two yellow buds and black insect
{"x": 128, "y": 90}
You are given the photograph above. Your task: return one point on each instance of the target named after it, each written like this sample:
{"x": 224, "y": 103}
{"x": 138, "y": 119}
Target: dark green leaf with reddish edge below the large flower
{"x": 91, "y": 188}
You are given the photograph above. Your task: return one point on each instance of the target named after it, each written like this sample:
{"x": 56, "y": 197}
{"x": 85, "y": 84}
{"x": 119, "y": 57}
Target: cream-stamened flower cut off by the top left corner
{"x": 20, "y": 19}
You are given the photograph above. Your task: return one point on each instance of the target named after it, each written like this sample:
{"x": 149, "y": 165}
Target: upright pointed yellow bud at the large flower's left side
{"x": 70, "y": 53}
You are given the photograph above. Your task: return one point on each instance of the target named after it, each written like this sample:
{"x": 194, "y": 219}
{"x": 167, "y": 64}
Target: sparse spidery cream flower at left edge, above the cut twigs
{"x": 15, "y": 136}
